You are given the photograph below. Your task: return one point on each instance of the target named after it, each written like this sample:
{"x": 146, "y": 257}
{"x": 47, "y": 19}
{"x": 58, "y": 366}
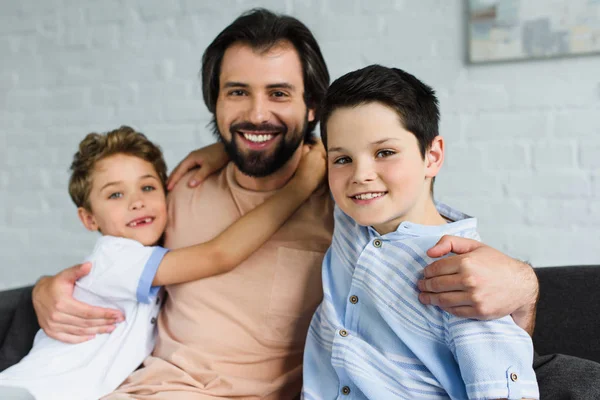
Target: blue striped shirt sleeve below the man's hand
{"x": 495, "y": 357}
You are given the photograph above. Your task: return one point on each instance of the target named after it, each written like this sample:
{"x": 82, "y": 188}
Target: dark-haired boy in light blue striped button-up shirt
{"x": 371, "y": 338}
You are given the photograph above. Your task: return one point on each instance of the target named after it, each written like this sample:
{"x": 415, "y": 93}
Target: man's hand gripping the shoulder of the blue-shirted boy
{"x": 479, "y": 282}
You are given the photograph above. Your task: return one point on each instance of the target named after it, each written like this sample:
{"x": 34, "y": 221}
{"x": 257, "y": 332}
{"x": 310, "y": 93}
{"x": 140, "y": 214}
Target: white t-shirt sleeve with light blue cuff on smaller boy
{"x": 123, "y": 269}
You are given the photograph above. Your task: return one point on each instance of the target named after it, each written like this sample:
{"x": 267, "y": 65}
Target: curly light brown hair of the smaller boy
{"x": 95, "y": 147}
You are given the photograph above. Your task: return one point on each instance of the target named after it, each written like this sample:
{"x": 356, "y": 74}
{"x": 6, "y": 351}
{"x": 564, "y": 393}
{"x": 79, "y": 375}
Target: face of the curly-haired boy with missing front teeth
{"x": 127, "y": 200}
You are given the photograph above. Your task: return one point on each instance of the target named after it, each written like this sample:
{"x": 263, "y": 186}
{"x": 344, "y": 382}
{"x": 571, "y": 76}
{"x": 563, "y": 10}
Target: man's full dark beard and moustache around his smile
{"x": 259, "y": 164}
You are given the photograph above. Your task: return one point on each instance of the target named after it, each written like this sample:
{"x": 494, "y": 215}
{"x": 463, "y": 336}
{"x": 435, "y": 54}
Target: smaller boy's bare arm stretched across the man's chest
{"x": 242, "y": 238}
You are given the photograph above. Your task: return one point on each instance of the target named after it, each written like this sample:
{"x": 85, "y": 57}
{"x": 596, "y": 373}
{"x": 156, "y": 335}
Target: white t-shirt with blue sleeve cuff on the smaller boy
{"x": 121, "y": 278}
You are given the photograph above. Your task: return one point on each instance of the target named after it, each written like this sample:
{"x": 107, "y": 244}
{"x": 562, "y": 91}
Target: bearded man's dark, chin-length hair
{"x": 261, "y": 29}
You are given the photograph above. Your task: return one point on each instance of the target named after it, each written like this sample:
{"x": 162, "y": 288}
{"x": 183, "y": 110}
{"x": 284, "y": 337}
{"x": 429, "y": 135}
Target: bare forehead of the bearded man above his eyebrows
{"x": 279, "y": 63}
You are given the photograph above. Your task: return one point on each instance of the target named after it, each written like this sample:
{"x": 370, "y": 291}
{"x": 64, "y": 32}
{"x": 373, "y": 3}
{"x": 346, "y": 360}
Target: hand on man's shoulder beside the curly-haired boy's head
{"x": 207, "y": 160}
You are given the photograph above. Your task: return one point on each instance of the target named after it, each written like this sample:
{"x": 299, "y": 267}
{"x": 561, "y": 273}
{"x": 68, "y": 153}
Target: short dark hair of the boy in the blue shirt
{"x": 413, "y": 101}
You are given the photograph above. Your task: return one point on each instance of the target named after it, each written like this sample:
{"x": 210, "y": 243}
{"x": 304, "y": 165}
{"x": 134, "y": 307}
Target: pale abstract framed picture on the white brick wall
{"x": 501, "y": 30}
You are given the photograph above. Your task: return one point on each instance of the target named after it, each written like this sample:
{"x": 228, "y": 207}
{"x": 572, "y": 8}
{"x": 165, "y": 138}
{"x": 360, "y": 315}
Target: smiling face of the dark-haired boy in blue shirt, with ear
{"x": 376, "y": 172}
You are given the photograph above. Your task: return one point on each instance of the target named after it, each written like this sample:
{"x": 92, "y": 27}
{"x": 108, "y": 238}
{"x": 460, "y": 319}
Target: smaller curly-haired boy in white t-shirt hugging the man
{"x": 118, "y": 184}
